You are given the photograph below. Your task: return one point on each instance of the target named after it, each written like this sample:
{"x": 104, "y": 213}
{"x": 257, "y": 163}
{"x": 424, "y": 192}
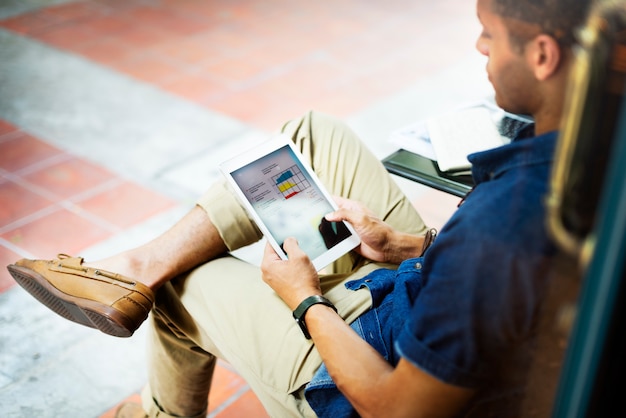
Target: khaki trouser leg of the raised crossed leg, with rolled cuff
{"x": 343, "y": 164}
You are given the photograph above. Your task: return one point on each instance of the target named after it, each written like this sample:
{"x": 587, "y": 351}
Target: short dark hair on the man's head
{"x": 557, "y": 18}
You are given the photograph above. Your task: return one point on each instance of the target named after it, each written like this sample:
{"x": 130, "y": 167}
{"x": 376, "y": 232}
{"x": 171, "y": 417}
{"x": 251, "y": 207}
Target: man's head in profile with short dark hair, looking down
{"x": 528, "y": 43}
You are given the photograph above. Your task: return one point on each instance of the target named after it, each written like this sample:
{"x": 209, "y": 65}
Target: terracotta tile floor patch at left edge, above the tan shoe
{"x": 54, "y": 201}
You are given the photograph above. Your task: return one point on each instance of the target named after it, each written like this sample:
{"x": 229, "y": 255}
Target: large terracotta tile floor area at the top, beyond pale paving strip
{"x": 262, "y": 61}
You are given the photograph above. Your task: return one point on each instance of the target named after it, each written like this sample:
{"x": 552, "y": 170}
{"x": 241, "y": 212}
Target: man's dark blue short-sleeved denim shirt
{"x": 465, "y": 311}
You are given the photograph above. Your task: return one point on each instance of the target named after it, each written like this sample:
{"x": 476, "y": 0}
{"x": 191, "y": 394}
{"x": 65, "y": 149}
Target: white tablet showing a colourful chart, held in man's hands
{"x": 286, "y": 199}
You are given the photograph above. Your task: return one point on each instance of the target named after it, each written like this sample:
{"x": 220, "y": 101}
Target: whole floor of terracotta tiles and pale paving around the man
{"x": 115, "y": 113}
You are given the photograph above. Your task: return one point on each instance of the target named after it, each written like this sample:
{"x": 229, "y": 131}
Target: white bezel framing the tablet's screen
{"x": 253, "y": 154}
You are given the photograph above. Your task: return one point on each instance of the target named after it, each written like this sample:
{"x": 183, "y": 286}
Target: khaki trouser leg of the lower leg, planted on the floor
{"x": 223, "y": 309}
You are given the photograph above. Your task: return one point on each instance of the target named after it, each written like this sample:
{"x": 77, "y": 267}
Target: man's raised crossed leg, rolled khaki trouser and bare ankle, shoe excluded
{"x": 219, "y": 224}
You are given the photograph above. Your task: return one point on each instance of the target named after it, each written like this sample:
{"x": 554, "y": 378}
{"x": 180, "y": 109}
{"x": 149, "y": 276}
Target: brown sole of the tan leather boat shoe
{"x": 85, "y": 312}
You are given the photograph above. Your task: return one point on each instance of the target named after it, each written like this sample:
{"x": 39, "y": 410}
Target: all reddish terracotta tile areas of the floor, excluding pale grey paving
{"x": 257, "y": 61}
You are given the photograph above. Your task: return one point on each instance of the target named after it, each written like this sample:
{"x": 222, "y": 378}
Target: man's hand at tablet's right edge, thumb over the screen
{"x": 379, "y": 241}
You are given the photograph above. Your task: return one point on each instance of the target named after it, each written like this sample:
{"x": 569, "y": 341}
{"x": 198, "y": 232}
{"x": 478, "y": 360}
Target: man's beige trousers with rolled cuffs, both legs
{"x": 223, "y": 309}
